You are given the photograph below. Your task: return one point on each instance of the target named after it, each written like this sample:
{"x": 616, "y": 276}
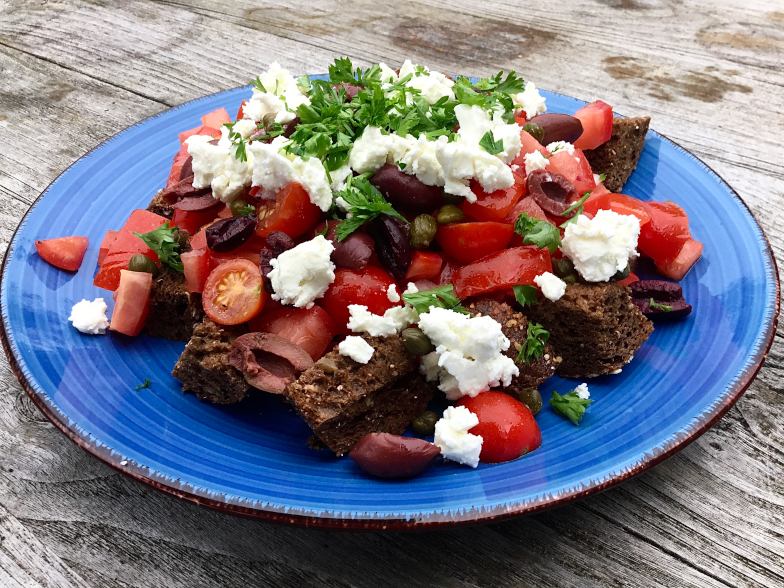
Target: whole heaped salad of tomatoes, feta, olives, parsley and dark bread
{"x": 362, "y": 243}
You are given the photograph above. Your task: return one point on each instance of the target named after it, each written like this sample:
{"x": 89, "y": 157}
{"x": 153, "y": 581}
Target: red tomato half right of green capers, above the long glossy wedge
{"x": 468, "y": 242}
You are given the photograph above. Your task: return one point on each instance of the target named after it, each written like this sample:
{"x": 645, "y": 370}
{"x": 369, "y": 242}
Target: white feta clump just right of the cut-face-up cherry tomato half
{"x": 302, "y": 274}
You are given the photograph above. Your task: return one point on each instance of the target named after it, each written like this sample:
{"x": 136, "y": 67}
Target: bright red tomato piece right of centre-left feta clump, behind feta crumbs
{"x": 367, "y": 287}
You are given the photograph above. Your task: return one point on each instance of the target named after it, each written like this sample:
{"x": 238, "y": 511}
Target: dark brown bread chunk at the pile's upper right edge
{"x": 618, "y": 157}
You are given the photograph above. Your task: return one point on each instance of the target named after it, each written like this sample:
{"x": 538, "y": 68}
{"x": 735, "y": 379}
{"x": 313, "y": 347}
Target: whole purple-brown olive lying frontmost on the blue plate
{"x": 393, "y": 456}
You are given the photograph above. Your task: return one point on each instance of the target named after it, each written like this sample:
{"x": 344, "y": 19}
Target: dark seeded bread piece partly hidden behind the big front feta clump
{"x": 514, "y": 326}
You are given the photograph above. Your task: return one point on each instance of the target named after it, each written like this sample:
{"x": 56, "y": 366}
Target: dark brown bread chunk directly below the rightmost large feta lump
{"x": 595, "y": 328}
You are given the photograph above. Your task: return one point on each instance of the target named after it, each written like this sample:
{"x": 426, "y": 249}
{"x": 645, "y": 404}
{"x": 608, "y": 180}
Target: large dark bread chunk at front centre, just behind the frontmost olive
{"x": 343, "y": 400}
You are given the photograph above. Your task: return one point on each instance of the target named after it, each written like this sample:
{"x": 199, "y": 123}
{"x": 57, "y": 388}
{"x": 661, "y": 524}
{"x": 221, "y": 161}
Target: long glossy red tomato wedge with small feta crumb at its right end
{"x": 502, "y": 270}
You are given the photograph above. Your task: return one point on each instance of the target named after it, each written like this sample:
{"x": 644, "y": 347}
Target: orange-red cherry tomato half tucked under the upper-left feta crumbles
{"x": 291, "y": 212}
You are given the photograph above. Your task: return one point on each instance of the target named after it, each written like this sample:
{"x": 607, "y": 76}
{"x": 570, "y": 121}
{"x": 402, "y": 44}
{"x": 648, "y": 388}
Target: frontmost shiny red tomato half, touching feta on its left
{"x": 507, "y": 427}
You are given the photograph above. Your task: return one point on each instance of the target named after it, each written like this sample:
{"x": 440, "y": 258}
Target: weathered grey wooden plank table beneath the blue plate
{"x": 710, "y": 73}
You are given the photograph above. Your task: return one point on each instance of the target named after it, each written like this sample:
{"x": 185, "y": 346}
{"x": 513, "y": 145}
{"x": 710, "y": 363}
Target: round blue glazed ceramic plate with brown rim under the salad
{"x": 252, "y": 458}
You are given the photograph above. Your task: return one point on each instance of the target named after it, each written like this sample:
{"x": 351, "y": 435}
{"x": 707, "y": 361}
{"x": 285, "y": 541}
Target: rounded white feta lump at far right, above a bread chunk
{"x": 601, "y": 246}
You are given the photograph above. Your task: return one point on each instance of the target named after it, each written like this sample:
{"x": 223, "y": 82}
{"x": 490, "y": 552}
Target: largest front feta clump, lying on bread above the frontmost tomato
{"x": 469, "y": 351}
